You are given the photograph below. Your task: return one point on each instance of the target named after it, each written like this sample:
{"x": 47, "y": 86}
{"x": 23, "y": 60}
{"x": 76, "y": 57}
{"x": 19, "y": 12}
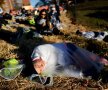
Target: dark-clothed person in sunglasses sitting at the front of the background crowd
{"x": 42, "y": 22}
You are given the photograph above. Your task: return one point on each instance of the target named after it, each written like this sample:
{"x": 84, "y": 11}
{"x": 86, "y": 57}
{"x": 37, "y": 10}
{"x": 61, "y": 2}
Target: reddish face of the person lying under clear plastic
{"x": 39, "y": 65}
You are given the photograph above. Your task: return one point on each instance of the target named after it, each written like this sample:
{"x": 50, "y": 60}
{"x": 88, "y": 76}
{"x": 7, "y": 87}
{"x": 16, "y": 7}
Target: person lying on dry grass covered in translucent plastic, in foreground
{"x": 66, "y": 59}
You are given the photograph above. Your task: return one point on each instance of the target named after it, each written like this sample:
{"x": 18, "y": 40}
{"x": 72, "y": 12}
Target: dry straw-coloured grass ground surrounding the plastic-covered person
{"x": 25, "y": 46}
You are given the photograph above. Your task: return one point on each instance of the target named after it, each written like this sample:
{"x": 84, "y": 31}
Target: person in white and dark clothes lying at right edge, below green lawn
{"x": 93, "y": 34}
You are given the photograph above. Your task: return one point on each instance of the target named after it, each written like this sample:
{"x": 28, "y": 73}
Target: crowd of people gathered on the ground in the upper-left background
{"x": 46, "y": 20}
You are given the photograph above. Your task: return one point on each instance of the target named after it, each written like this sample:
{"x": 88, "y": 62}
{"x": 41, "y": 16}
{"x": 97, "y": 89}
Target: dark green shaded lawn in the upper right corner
{"x": 92, "y": 13}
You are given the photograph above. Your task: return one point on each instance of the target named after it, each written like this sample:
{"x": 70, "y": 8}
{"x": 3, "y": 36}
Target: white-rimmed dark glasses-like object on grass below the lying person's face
{"x": 42, "y": 79}
